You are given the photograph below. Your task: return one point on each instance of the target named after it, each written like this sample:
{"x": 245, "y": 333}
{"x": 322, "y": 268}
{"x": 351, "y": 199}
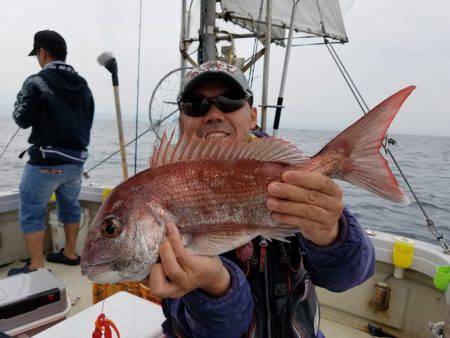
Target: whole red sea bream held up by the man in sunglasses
{"x": 214, "y": 190}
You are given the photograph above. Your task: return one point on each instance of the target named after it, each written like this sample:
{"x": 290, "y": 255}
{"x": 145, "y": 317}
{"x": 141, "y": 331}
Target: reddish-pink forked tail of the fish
{"x": 358, "y": 148}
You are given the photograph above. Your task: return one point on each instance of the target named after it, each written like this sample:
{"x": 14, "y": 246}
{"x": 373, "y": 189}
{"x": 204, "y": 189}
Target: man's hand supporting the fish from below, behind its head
{"x": 180, "y": 272}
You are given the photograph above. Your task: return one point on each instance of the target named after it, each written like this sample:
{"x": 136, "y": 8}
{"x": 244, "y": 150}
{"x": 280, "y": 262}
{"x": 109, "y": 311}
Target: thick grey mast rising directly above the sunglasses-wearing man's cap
{"x": 207, "y": 31}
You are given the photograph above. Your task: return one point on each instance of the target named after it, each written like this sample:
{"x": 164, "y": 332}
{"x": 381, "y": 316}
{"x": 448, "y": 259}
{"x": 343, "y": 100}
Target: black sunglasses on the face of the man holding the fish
{"x": 199, "y": 105}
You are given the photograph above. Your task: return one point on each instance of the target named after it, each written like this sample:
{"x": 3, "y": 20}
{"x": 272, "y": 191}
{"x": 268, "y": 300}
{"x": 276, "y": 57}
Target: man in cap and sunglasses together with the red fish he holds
{"x": 273, "y": 214}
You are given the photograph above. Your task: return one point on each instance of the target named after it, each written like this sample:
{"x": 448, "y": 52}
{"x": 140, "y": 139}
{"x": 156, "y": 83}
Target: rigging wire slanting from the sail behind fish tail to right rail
{"x": 365, "y": 109}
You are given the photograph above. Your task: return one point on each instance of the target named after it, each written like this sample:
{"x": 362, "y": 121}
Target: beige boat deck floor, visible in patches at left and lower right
{"x": 79, "y": 289}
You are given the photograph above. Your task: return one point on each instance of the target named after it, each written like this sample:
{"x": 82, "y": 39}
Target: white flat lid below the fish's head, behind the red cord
{"x": 133, "y": 316}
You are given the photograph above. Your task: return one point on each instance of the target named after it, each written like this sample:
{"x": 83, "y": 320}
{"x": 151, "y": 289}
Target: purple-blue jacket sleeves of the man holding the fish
{"x": 349, "y": 261}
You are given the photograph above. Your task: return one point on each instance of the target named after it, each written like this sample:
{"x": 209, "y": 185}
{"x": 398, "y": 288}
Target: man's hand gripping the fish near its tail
{"x": 310, "y": 201}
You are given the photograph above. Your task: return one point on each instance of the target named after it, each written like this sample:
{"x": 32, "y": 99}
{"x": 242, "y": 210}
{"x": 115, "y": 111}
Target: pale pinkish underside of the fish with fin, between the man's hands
{"x": 215, "y": 239}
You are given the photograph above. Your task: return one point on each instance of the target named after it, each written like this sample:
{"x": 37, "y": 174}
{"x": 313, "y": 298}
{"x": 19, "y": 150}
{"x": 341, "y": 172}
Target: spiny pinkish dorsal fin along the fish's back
{"x": 191, "y": 148}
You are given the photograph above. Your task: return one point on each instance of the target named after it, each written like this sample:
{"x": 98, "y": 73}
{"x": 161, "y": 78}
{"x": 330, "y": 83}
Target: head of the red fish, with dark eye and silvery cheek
{"x": 124, "y": 238}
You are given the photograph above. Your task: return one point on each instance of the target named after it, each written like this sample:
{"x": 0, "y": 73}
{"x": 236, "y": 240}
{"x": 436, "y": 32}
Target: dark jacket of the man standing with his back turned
{"x": 58, "y": 105}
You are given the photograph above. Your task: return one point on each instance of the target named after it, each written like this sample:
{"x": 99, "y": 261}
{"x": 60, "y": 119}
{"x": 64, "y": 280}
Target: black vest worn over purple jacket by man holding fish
{"x": 285, "y": 302}
